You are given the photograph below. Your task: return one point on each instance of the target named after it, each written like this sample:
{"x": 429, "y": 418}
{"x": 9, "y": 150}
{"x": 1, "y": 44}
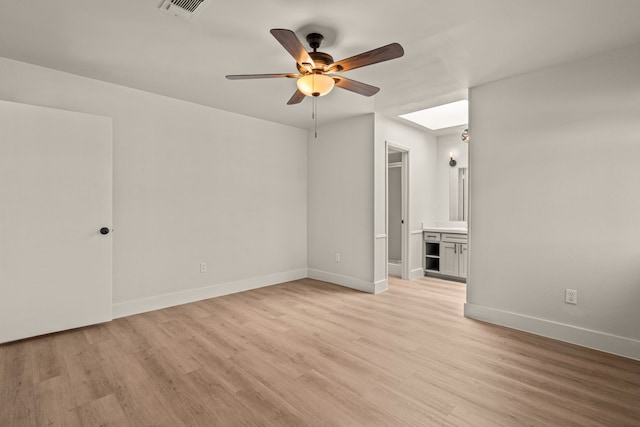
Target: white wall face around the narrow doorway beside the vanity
{"x": 422, "y": 187}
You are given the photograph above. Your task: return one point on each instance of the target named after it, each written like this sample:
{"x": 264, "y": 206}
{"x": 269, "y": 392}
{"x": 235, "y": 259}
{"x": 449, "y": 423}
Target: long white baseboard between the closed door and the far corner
{"x": 143, "y": 305}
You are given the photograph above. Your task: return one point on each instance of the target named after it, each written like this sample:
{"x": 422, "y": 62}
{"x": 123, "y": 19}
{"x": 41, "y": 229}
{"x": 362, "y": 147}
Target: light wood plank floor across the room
{"x": 308, "y": 353}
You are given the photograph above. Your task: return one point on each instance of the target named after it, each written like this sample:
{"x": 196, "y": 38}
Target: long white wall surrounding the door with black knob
{"x": 191, "y": 184}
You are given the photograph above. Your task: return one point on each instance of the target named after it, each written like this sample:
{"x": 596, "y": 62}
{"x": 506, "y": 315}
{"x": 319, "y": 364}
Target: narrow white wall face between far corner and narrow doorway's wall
{"x": 340, "y": 203}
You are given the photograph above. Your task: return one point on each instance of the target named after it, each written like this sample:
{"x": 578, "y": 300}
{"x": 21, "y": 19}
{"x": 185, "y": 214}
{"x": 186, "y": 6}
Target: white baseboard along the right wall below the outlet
{"x": 608, "y": 343}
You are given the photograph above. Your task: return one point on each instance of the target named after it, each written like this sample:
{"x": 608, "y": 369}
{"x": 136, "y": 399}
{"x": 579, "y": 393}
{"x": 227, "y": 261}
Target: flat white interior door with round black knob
{"x": 55, "y": 196}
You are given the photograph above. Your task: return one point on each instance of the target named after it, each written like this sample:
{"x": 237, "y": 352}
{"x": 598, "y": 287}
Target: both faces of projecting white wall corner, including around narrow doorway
{"x": 346, "y": 193}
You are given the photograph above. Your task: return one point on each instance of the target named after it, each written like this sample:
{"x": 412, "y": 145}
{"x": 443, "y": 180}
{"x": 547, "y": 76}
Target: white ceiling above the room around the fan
{"x": 450, "y": 45}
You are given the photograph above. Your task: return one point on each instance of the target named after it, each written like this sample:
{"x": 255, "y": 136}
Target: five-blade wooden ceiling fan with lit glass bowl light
{"x": 317, "y": 70}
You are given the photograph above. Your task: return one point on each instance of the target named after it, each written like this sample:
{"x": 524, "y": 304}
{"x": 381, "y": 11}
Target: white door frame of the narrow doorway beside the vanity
{"x": 392, "y": 147}
